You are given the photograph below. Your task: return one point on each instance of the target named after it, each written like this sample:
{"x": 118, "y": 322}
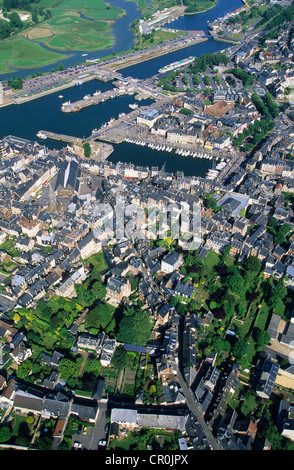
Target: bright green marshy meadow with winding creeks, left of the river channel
{"x": 65, "y": 31}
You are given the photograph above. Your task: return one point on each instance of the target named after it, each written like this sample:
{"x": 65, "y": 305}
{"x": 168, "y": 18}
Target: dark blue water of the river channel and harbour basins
{"x": 45, "y": 113}
